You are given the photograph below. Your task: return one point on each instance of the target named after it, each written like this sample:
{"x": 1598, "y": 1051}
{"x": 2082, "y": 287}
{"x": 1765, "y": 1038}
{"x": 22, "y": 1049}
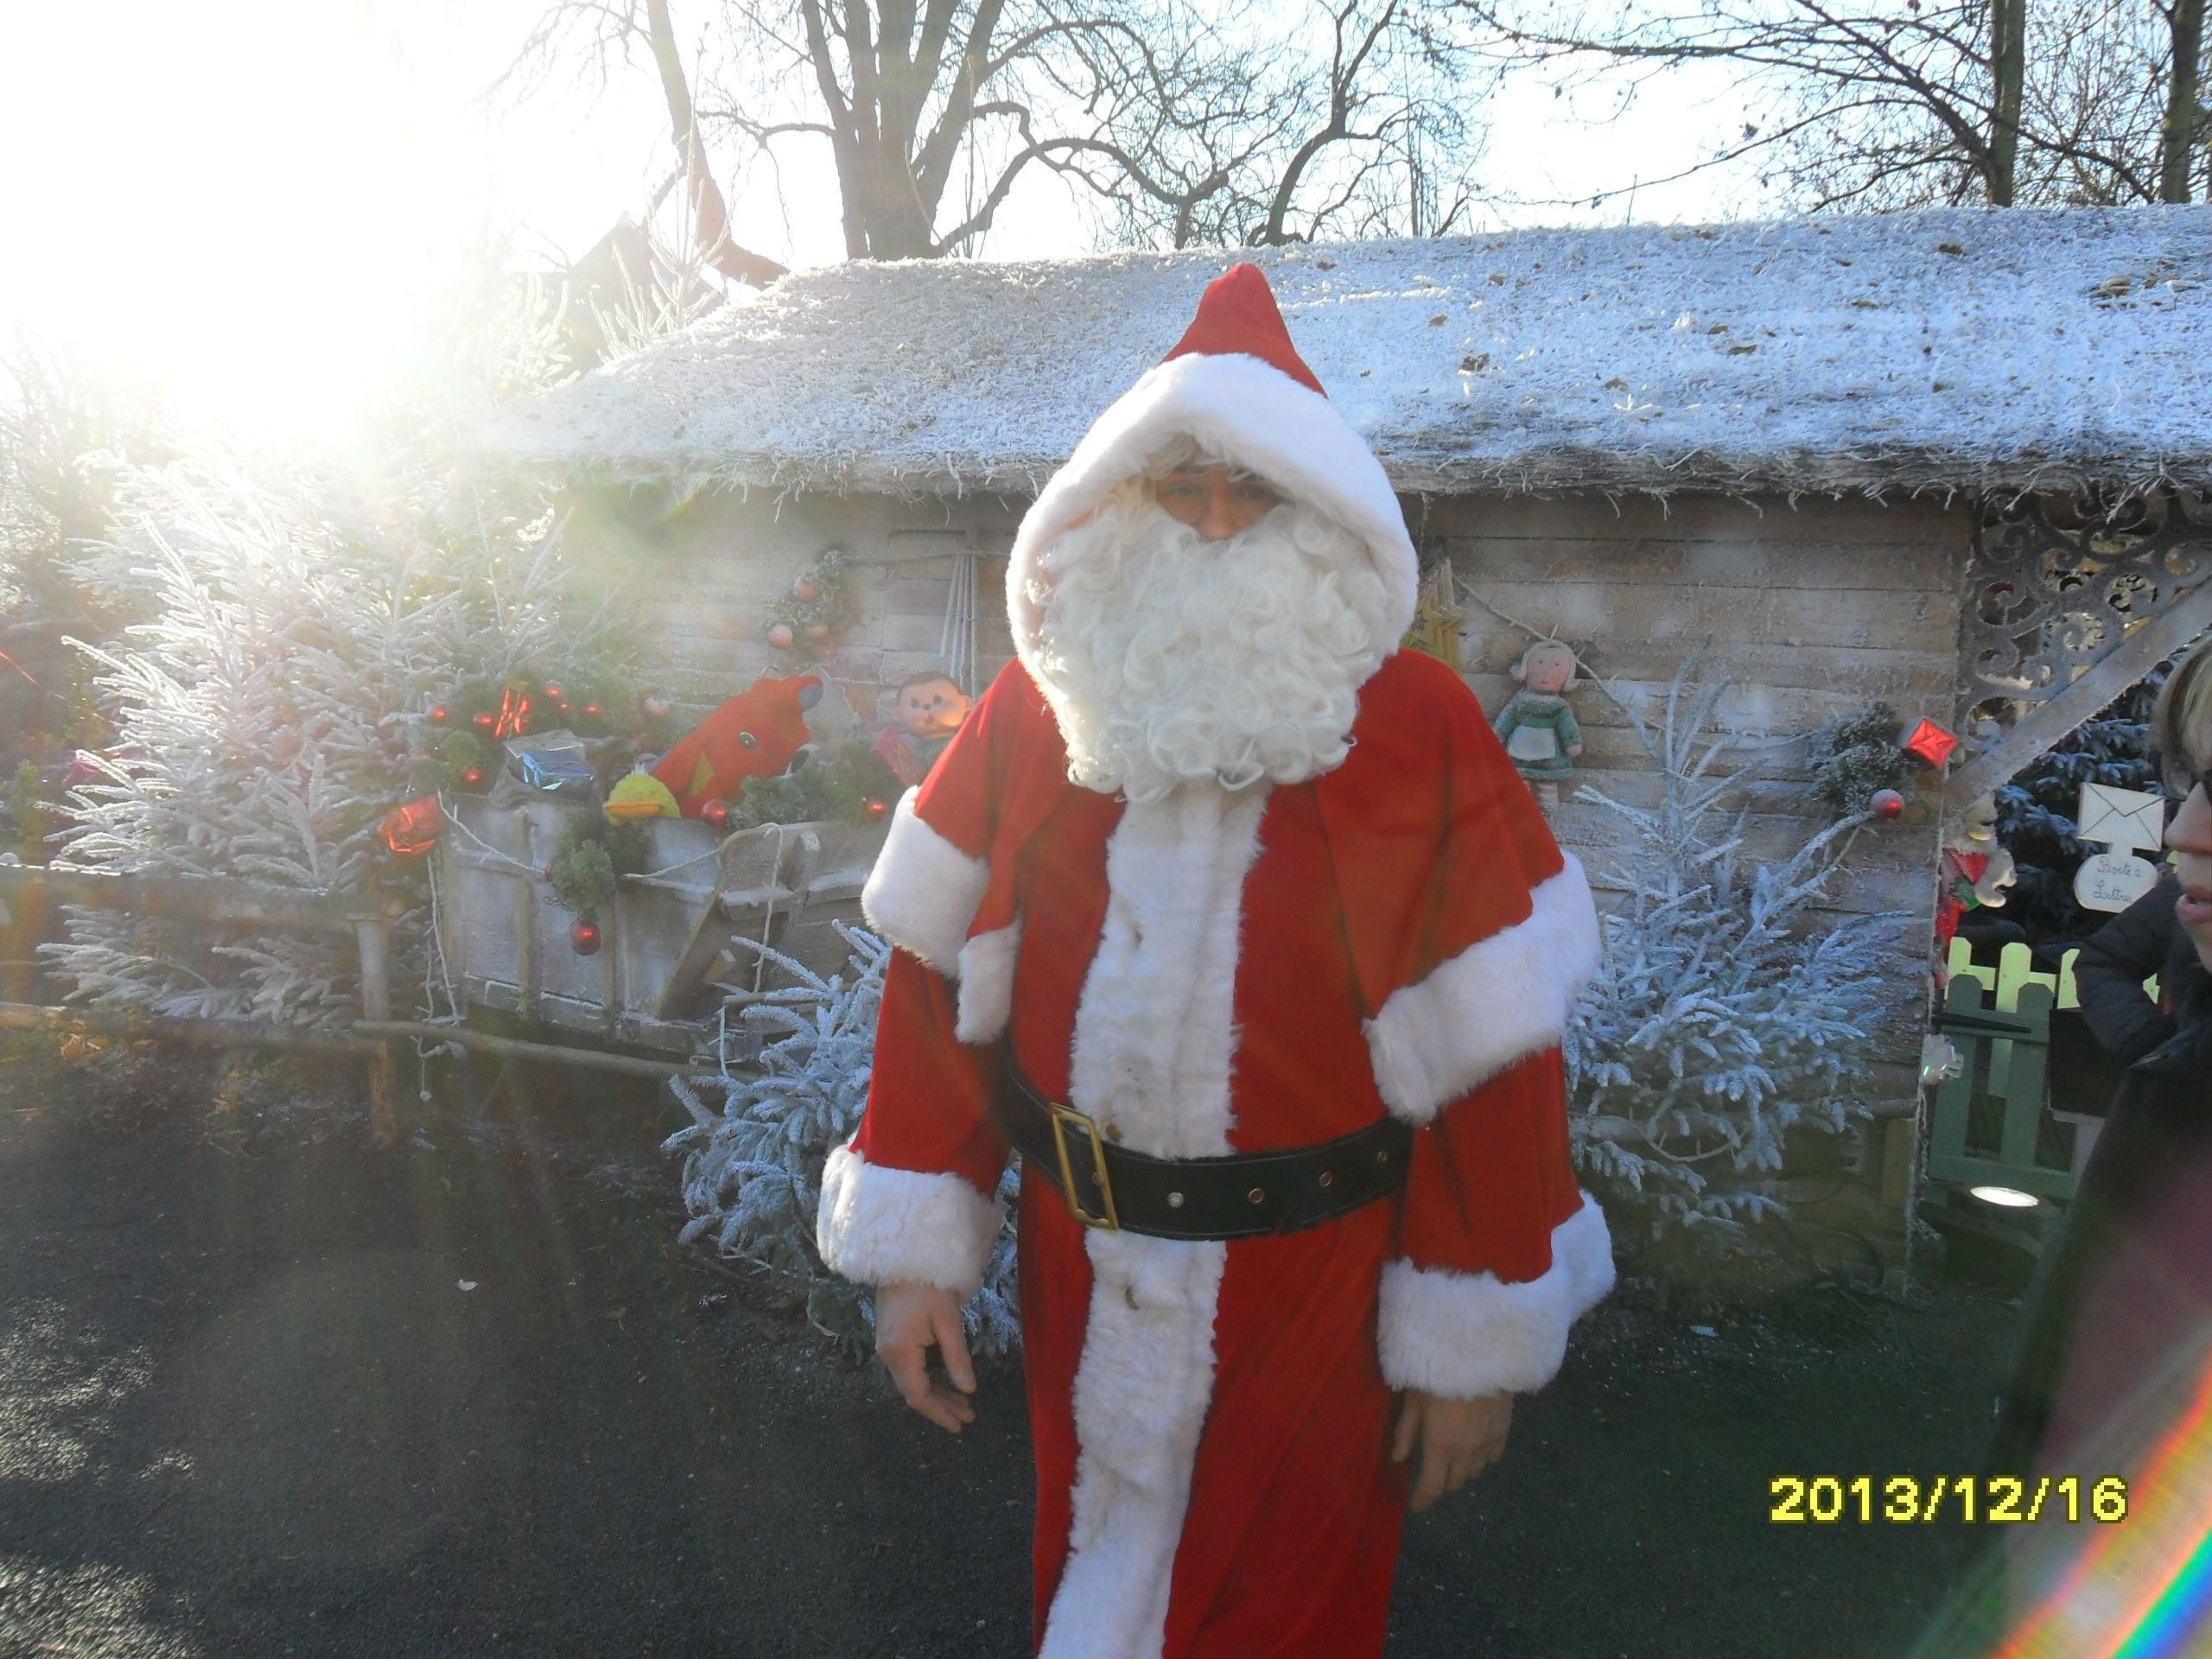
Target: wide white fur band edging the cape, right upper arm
{"x": 1499, "y": 1001}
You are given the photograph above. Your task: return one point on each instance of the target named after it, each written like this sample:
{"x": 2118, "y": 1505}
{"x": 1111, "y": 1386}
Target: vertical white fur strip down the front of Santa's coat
{"x": 1151, "y": 1058}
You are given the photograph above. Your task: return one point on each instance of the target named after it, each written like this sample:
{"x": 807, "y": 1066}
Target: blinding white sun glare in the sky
{"x": 244, "y": 205}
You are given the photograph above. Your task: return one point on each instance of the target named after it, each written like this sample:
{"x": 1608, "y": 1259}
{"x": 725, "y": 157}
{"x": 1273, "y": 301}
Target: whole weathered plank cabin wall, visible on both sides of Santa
{"x": 1811, "y": 609}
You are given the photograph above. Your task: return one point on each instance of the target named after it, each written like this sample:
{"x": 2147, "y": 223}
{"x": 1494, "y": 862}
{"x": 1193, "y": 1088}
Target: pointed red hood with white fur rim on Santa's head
{"x": 1238, "y": 386}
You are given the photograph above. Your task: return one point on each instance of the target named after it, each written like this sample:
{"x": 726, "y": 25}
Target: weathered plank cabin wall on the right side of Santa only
{"x": 1811, "y": 612}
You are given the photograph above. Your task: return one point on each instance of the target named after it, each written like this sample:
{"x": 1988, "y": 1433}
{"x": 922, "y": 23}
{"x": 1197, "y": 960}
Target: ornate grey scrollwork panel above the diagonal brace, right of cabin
{"x": 2056, "y": 583}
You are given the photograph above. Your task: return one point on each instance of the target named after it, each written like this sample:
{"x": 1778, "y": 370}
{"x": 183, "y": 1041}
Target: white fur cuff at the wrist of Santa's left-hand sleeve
{"x": 884, "y": 1227}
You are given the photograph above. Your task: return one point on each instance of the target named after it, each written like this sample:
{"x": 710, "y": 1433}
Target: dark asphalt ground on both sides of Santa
{"x": 269, "y": 1390}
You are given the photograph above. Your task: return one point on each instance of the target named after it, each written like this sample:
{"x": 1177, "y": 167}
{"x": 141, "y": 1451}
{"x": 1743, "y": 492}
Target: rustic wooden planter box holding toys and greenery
{"x": 671, "y": 948}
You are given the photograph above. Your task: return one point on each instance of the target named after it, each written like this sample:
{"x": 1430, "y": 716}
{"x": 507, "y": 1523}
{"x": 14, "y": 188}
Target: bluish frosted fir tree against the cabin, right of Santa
{"x": 1729, "y": 1012}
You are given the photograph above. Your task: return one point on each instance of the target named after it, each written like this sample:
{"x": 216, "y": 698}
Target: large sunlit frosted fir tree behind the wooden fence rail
{"x": 302, "y": 614}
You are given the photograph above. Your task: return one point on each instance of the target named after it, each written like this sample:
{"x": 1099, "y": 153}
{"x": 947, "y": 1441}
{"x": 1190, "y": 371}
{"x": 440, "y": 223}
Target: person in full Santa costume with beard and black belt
{"x": 1235, "y": 921}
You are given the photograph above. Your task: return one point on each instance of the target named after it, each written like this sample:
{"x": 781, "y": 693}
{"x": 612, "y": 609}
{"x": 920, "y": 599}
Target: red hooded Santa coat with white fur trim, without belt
{"x": 1227, "y": 974}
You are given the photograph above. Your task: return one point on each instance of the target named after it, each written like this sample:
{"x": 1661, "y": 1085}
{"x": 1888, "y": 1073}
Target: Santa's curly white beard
{"x": 1173, "y": 660}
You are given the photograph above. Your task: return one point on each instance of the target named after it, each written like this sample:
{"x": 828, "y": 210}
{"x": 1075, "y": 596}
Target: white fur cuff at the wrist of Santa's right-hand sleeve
{"x": 1468, "y": 1335}
